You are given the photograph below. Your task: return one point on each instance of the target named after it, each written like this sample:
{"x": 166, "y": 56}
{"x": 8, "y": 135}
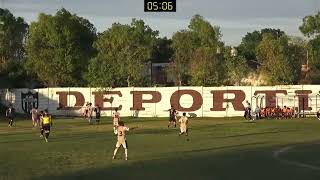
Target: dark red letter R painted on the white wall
{"x": 218, "y": 100}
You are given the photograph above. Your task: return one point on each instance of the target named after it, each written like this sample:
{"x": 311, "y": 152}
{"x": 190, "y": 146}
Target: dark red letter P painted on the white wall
{"x": 138, "y": 100}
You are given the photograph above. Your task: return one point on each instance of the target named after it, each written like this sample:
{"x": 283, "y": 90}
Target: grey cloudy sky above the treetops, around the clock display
{"x": 235, "y": 17}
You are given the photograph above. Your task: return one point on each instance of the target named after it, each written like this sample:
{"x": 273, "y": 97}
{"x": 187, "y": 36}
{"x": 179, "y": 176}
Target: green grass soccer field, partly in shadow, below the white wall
{"x": 216, "y": 149}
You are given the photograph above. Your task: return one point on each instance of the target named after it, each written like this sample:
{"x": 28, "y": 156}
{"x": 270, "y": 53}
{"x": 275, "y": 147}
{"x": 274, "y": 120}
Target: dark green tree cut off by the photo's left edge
{"x": 13, "y": 31}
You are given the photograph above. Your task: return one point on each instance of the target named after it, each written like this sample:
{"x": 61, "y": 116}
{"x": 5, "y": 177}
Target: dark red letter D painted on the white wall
{"x": 63, "y": 100}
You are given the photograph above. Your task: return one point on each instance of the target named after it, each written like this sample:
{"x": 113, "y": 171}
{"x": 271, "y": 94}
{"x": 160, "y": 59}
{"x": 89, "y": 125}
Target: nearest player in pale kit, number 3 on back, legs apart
{"x": 121, "y": 132}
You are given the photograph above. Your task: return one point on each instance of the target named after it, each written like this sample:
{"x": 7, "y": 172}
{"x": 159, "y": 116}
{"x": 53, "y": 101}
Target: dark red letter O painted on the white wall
{"x": 196, "y": 96}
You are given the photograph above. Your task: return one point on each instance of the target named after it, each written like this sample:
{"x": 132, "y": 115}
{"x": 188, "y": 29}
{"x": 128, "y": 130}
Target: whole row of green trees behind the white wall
{"x": 65, "y": 50}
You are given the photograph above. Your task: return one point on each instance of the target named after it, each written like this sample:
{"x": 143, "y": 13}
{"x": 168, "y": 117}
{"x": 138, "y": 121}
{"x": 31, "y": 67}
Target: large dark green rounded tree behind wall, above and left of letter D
{"x": 59, "y": 48}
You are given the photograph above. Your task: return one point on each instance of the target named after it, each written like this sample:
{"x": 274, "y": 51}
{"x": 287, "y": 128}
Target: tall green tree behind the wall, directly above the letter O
{"x": 194, "y": 49}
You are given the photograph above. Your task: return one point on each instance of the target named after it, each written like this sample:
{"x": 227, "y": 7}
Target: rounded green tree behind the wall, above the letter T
{"x": 277, "y": 65}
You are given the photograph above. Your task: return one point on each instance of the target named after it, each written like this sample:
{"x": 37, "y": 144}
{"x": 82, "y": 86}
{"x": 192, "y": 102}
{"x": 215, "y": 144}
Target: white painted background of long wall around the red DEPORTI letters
{"x": 48, "y": 99}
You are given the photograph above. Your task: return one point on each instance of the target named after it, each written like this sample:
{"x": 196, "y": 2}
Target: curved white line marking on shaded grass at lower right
{"x": 276, "y": 155}
